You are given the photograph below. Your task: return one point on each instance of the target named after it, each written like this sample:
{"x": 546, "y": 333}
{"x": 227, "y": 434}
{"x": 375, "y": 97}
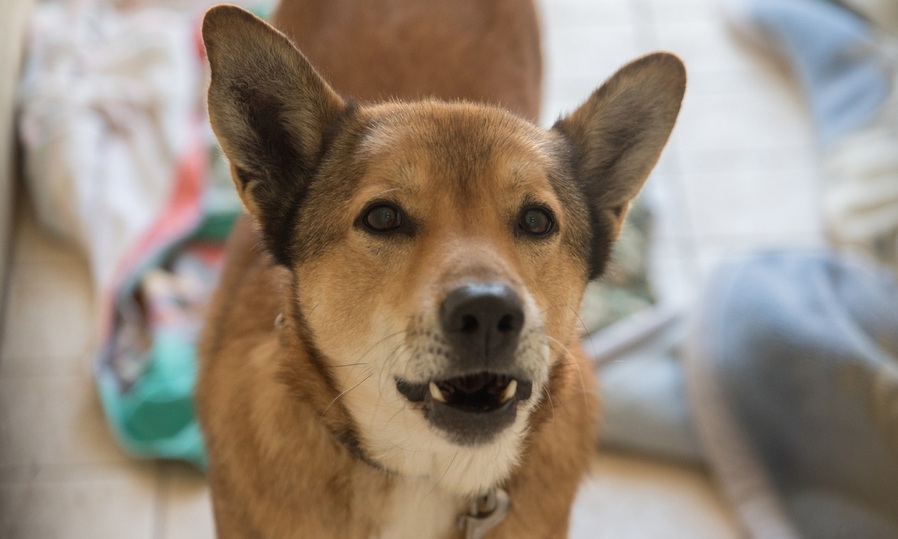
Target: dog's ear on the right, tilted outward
{"x": 616, "y": 137}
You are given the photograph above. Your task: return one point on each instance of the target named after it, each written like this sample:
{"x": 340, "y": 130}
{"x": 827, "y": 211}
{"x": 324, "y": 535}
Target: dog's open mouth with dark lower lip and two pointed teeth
{"x": 469, "y": 410}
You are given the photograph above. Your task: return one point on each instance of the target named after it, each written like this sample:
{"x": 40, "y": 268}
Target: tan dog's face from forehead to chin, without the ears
{"x": 449, "y": 284}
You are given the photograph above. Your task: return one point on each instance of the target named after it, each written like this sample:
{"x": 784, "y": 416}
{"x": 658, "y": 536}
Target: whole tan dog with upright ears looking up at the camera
{"x": 393, "y": 348}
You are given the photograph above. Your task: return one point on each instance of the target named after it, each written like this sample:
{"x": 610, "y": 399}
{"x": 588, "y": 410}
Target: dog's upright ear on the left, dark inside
{"x": 269, "y": 110}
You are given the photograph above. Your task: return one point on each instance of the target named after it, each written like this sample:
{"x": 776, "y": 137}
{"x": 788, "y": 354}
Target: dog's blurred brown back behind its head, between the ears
{"x": 450, "y": 49}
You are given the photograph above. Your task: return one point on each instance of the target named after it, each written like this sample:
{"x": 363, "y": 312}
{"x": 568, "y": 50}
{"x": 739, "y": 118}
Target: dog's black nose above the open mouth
{"x": 482, "y": 321}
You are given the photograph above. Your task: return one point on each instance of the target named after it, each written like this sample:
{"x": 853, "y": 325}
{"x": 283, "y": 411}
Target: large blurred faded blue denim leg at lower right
{"x": 792, "y": 370}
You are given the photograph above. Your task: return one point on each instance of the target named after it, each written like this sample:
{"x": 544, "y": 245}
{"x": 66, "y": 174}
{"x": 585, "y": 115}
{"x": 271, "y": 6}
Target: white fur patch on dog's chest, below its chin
{"x": 417, "y": 509}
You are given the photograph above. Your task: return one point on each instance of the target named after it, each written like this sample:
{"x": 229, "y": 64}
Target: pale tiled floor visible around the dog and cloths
{"x": 739, "y": 173}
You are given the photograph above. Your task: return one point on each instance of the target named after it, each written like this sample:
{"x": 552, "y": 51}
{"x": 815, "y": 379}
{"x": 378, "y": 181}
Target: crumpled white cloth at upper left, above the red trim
{"x": 108, "y": 107}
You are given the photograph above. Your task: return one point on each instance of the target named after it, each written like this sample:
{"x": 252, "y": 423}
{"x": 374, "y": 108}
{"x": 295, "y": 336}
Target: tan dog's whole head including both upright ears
{"x": 439, "y": 251}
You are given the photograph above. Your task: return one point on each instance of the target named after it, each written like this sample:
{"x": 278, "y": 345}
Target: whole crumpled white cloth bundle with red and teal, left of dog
{"x": 119, "y": 160}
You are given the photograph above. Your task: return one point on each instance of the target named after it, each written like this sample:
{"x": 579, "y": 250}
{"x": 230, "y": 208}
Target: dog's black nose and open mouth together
{"x": 477, "y": 396}
